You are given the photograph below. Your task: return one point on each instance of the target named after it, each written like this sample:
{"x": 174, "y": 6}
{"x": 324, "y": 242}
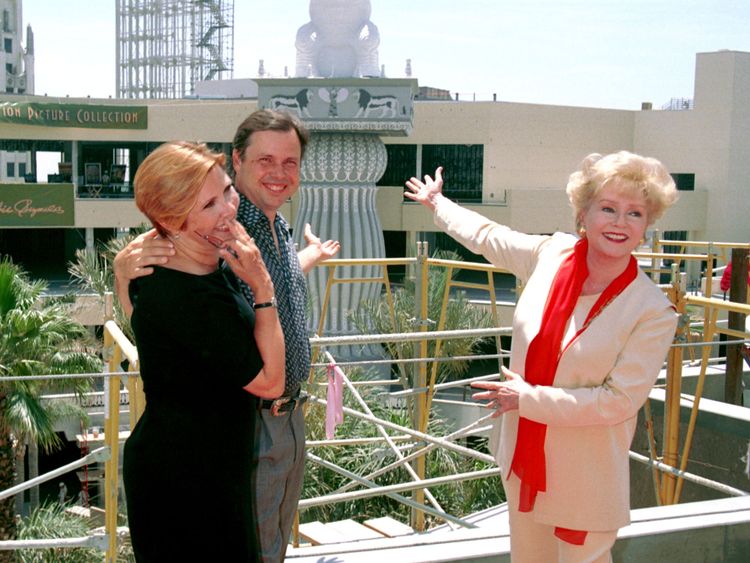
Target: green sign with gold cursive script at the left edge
{"x": 37, "y": 205}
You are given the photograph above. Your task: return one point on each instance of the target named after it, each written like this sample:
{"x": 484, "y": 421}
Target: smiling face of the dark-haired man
{"x": 268, "y": 172}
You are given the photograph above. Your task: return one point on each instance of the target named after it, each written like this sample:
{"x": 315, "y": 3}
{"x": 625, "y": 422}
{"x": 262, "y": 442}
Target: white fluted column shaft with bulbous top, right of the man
{"x": 338, "y": 198}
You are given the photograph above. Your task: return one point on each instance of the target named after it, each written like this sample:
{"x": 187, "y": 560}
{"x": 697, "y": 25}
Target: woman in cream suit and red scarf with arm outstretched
{"x": 590, "y": 334}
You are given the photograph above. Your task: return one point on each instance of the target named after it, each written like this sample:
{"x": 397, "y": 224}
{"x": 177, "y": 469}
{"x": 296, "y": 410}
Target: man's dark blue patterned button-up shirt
{"x": 289, "y": 286}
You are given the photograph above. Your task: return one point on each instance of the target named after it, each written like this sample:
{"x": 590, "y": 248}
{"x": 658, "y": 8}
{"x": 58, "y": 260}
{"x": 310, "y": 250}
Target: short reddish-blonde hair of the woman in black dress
{"x": 169, "y": 180}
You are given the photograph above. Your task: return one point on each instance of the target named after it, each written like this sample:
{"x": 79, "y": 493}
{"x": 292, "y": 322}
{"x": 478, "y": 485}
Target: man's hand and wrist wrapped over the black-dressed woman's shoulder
{"x": 137, "y": 259}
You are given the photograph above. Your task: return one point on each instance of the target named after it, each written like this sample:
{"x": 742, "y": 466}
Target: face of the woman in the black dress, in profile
{"x": 214, "y": 209}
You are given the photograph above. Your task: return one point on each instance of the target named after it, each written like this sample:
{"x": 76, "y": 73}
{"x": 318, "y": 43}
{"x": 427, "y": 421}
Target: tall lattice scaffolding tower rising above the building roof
{"x": 165, "y": 46}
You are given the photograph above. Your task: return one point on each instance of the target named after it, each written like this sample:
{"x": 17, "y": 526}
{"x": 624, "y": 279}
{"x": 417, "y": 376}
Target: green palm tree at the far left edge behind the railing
{"x": 37, "y": 337}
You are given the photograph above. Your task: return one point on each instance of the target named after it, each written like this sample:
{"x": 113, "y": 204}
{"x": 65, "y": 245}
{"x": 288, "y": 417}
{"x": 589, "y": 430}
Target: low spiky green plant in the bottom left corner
{"x": 51, "y": 522}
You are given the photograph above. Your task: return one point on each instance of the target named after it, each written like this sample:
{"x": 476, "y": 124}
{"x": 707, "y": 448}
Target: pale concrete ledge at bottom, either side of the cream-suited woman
{"x": 716, "y": 530}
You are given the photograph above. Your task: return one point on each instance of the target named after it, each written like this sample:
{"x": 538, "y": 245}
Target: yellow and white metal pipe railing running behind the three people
{"x": 409, "y": 445}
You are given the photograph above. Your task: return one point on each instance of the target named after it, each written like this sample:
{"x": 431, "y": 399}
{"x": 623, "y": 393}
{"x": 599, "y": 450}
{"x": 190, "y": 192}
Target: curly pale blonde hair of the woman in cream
{"x": 633, "y": 174}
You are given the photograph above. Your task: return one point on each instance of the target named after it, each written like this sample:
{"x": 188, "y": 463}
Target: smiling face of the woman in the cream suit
{"x": 615, "y": 223}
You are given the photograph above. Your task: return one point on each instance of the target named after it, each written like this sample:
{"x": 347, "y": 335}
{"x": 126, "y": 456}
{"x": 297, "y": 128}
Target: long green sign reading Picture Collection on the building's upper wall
{"x": 74, "y": 115}
